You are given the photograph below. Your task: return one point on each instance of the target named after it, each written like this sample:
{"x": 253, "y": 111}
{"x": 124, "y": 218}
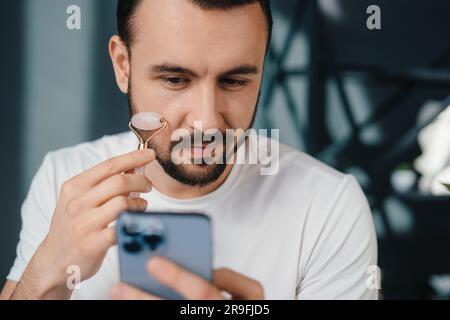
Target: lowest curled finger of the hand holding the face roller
{"x": 110, "y": 210}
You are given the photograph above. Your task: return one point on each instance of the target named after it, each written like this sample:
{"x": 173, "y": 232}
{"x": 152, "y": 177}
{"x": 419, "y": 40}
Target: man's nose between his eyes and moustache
{"x": 206, "y": 108}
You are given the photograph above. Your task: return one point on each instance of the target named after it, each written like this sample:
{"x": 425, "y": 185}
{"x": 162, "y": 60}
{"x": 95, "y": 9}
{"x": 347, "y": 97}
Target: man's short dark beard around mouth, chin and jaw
{"x": 200, "y": 175}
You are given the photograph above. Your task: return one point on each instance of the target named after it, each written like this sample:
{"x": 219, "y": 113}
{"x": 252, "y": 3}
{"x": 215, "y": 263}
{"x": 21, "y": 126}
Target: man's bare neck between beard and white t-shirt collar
{"x": 172, "y": 188}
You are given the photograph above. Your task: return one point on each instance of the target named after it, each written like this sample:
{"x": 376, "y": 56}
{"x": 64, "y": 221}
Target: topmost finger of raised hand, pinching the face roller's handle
{"x": 113, "y": 166}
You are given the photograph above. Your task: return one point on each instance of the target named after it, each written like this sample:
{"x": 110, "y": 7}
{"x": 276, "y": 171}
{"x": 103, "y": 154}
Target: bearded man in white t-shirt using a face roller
{"x": 305, "y": 232}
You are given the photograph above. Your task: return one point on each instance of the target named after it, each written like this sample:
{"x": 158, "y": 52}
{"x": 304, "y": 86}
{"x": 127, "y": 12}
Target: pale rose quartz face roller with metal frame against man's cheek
{"x": 146, "y": 125}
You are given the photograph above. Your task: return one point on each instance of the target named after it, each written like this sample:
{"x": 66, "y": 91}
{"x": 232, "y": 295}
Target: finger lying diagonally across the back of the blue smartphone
{"x": 189, "y": 285}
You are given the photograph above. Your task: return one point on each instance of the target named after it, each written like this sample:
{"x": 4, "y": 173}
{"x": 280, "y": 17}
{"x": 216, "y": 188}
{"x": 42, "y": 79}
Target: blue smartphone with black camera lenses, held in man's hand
{"x": 184, "y": 238}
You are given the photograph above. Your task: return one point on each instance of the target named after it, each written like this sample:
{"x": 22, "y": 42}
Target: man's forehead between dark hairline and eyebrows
{"x": 178, "y": 31}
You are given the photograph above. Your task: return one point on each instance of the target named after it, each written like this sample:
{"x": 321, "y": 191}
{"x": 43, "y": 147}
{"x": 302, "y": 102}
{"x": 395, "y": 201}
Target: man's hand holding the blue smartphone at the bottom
{"x": 191, "y": 286}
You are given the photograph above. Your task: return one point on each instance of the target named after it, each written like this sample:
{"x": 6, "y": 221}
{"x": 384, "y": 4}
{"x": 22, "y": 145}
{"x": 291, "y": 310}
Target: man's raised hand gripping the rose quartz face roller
{"x": 79, "y": 233}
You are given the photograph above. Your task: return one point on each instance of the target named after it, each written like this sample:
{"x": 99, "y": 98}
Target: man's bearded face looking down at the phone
{"x": 192, "y": 65}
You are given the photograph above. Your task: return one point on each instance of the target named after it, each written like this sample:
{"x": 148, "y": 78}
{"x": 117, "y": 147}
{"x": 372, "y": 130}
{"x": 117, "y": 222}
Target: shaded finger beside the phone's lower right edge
{"x": 238, "y": 285}
